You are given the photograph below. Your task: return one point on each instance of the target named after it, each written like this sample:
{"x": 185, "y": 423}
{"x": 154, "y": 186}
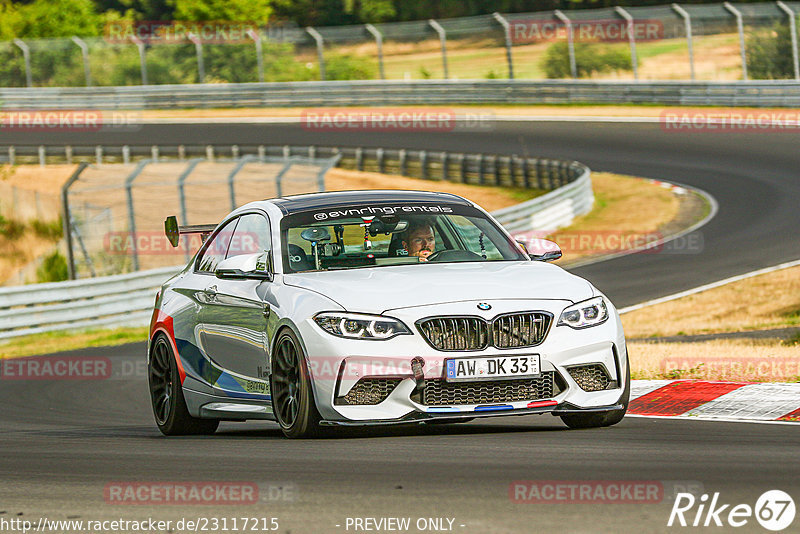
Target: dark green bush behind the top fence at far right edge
{"x": 769, "y": 54}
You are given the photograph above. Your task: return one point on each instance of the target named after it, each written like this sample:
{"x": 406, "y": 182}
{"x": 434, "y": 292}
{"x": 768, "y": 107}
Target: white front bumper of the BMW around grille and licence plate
{"x": 337, "y": 365}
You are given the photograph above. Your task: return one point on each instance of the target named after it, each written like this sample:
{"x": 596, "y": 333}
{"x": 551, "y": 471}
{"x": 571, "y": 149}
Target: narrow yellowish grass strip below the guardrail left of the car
{"x": 62, "y": 341}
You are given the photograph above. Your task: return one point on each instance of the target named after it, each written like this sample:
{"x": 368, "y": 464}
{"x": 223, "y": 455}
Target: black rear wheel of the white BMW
{"x": 166, "y": 395}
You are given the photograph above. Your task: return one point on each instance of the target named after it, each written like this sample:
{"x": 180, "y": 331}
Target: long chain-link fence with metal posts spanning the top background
{"x": 703, "y": 42}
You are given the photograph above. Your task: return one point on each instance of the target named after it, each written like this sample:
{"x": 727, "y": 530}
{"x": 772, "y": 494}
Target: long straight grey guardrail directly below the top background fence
{"x": 426, "y": 92}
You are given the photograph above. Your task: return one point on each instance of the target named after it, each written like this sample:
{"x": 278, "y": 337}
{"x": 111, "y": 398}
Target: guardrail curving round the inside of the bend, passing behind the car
{"x": 127, "y": 299}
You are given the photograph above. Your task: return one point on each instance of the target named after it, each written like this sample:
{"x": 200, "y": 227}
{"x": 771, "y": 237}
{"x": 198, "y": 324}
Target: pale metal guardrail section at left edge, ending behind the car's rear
{"x": 118, "y": 300}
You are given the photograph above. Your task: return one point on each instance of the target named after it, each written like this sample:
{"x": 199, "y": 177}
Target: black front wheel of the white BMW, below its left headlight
{"x": 292, "y": 396}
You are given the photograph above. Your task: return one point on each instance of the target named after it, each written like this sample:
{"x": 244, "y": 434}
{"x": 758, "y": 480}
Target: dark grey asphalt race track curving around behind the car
{"x": 62, "y": 442}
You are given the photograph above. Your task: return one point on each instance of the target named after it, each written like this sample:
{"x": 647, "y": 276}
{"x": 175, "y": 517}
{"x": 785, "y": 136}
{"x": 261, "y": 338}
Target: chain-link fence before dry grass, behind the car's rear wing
{"x": 115, "y": 213}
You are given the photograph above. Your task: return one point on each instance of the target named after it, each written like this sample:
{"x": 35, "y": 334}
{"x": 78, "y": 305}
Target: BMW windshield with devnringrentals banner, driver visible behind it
{"x": 383, "y": 235}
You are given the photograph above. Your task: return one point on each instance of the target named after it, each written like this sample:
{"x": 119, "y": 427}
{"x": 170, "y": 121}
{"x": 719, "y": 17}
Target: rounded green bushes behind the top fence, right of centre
{"x": 589, "y": 59}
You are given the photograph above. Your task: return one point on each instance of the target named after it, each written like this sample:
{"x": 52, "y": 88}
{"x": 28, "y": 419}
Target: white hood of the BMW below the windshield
{"x": 378, "y": 289}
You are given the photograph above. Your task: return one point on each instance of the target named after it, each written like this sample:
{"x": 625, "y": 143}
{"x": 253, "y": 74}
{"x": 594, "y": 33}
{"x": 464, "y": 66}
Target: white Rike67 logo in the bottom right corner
{"x": 774, "y": 510}
